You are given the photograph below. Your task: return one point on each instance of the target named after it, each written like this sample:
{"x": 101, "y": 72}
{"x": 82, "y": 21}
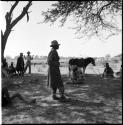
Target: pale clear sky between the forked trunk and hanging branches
{"x": 36, "y": 37}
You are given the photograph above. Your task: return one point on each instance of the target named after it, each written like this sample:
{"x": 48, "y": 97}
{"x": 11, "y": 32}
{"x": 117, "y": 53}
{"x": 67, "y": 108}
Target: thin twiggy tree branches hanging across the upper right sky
{"x": 91, "y": 17}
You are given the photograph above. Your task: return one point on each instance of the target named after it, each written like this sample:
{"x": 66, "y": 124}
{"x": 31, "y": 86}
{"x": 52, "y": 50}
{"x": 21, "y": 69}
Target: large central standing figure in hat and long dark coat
{"x": 54, "y": 75}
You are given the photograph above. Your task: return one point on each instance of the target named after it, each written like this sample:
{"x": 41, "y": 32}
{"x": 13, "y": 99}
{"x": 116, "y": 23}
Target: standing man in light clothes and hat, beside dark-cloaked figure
{"x": 28, "y": 63}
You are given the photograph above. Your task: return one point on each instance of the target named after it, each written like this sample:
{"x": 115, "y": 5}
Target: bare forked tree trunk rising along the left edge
{"x": 10, "y": 23}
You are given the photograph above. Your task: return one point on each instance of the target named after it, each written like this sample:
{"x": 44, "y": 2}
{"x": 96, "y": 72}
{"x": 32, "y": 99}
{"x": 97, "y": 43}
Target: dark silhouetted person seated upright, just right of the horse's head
{"x": 108, "y": 72}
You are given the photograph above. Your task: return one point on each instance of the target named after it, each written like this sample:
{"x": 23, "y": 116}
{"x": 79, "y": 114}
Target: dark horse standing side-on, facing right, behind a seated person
{"x": 81, "y": 63}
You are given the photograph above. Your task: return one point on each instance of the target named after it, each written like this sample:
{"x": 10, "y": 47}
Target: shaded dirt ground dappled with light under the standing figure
{"x": 96, "y": 100}
